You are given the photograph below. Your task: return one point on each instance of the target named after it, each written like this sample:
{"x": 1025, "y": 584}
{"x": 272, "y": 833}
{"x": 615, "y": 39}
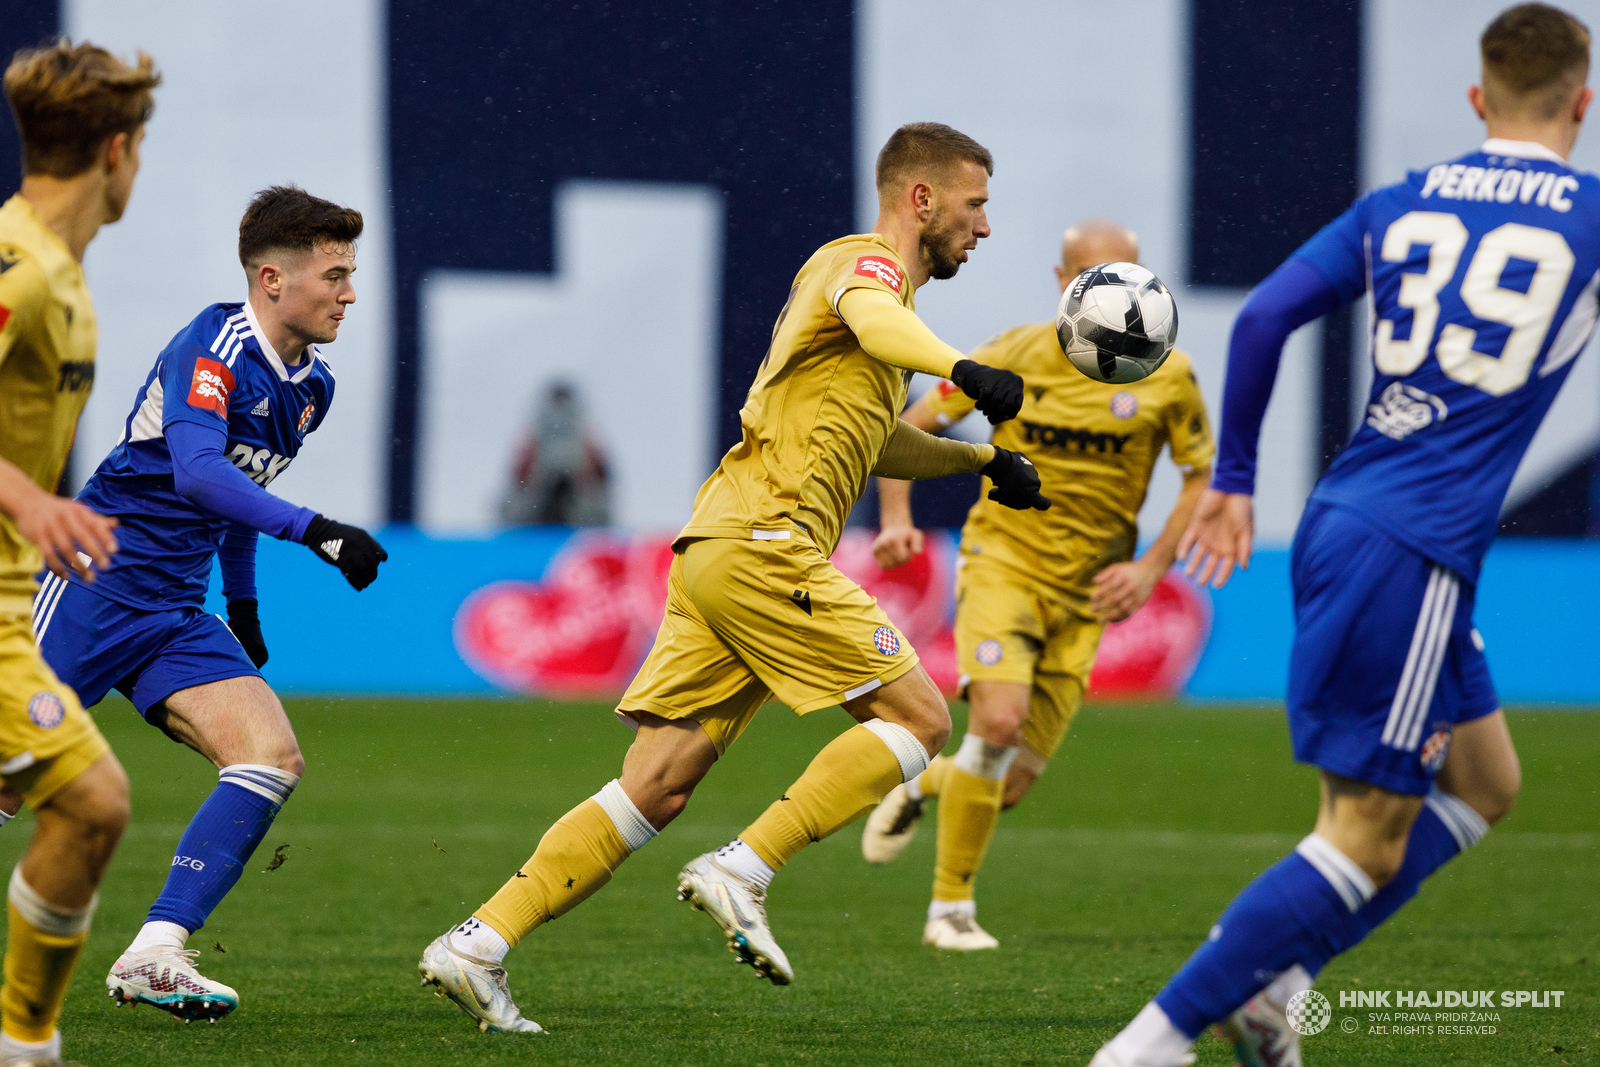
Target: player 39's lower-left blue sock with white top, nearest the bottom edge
{"x": 1282, "y": 917}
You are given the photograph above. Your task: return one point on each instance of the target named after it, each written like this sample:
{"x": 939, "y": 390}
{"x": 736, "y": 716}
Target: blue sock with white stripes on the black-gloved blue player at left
{"x": 220, "y": 841}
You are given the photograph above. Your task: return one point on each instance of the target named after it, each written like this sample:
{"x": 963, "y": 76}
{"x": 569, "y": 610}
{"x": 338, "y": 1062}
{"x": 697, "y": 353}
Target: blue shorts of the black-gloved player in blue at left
{"x": 97, "y": 645}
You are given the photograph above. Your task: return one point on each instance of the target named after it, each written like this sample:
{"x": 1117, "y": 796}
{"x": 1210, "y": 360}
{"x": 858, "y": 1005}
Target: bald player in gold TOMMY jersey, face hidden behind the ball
{"x": 1034, "y": 591}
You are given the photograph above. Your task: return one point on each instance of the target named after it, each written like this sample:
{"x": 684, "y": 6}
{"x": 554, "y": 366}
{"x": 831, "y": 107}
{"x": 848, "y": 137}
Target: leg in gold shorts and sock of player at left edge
{"x": 55, "y": 757}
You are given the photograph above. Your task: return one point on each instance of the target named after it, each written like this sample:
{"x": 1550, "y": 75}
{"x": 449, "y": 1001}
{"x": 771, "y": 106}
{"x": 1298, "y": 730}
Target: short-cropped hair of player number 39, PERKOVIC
{"x": 1534, "y": 58}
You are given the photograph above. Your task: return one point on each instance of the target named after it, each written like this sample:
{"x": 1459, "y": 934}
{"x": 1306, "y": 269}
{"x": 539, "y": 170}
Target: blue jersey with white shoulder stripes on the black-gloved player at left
{"x": 218, "y": 372}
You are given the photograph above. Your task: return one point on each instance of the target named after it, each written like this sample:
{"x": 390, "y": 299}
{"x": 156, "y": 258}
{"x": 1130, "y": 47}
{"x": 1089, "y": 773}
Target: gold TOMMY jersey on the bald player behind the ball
{"x": 1095, "y": 447}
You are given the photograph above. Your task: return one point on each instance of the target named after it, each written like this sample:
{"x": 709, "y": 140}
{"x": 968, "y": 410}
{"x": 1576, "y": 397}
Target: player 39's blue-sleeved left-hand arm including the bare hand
{"x": 1327, "y": 273}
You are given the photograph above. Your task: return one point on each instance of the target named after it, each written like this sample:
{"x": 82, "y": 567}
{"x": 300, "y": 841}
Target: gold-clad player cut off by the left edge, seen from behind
{"x": 81, "y": 113}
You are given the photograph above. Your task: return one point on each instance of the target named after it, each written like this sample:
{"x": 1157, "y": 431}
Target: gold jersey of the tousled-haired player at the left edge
{"x": 47, "y": 369}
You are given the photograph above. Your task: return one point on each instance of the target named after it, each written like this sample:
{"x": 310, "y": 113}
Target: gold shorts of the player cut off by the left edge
{"x": 47, "y": 738}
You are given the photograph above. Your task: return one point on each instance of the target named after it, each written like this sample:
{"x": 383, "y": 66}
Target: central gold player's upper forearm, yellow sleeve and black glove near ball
{"x": 892, "y": 332}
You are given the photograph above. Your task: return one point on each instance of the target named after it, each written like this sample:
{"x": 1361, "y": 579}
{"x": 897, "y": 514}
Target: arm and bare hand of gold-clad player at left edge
{"x": 60, "y": 529}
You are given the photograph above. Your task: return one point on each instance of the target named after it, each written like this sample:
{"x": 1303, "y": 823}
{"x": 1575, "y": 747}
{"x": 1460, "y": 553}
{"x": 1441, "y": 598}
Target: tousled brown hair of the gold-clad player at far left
{"x": 70, "y": 100}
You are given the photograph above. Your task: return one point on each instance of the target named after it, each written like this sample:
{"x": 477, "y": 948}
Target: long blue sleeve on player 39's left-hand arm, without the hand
{"x": 1292, "y": 297}
